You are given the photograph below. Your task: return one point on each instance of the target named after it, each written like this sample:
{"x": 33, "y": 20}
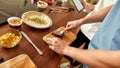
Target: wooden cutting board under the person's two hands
{"x": 68, "y": 37}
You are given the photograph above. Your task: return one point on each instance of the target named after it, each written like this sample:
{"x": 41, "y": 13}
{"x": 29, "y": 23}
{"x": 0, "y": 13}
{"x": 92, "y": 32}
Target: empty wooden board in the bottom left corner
{"x": 21, "y": 61}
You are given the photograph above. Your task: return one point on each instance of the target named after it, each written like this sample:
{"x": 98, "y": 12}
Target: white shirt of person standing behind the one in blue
{"x": 90, "y": 29}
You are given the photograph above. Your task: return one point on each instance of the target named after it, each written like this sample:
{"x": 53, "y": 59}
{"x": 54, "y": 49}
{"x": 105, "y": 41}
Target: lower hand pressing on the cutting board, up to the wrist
{"x": 57, "y": 45}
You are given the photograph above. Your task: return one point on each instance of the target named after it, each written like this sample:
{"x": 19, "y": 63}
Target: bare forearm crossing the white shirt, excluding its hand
{"x": 97, "y": 17}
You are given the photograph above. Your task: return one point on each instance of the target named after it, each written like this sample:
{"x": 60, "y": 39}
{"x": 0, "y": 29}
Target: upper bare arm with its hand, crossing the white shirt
{"x": 96, "y": 17}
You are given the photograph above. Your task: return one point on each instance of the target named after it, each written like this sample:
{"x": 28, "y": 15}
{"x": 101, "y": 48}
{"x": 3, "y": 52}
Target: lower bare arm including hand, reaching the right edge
{"x": 92, "y": 58}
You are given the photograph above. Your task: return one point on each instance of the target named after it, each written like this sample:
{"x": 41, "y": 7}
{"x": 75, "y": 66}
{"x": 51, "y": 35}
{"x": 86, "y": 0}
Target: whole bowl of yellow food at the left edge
{"x": 9, "y": 37}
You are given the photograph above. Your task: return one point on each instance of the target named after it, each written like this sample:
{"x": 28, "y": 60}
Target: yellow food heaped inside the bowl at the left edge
{"x": 9, "y": 40}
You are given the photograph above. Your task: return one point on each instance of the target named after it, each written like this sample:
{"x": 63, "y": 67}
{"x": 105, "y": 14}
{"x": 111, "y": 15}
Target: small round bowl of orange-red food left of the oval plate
{"x": 15, "y": 22}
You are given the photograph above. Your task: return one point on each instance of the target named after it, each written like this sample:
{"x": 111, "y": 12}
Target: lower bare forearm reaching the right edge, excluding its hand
{"x": 95, "y": 58}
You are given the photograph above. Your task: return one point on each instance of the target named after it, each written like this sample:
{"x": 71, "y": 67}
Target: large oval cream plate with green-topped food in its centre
{"x": 36, "y": 19}
